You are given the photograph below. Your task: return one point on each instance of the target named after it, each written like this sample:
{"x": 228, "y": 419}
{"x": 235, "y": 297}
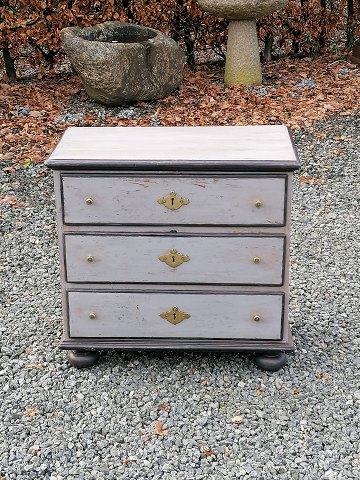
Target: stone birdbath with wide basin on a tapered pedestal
{"x": 242, "y": 54}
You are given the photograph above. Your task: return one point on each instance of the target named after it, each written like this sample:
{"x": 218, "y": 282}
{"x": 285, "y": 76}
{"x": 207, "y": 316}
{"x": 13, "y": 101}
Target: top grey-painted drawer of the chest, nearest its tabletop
{"x": 161, "y": 200}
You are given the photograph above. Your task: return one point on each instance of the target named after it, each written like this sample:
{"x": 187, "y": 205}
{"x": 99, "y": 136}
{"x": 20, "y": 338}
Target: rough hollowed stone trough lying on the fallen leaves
{"x": 120, "y": 63}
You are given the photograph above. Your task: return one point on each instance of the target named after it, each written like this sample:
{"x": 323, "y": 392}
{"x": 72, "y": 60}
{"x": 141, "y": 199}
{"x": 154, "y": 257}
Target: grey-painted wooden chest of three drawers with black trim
{"x": 175, "y": 238}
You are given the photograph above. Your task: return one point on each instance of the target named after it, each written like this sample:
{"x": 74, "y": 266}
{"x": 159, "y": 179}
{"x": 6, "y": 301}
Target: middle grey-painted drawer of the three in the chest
{"x": 151, "y": 258}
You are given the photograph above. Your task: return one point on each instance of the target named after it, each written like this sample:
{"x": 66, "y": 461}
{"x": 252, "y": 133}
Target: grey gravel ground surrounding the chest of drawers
{"x": 302, "y": 422}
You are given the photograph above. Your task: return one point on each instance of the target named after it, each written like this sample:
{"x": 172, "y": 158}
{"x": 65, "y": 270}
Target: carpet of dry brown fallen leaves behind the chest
{"x": 202, "y": 100}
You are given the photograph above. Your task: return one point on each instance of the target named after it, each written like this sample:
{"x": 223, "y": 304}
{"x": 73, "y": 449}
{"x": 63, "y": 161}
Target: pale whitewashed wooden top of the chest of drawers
{"x": 267, "y": 147}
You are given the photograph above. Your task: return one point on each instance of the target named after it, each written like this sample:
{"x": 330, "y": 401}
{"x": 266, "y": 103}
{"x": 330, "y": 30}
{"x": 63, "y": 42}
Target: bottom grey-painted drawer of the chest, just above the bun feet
{"x": 182, "y": 314}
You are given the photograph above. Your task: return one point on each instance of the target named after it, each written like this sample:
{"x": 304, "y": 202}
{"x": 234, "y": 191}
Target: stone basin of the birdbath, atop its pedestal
{"x": 241, "y": 9}
